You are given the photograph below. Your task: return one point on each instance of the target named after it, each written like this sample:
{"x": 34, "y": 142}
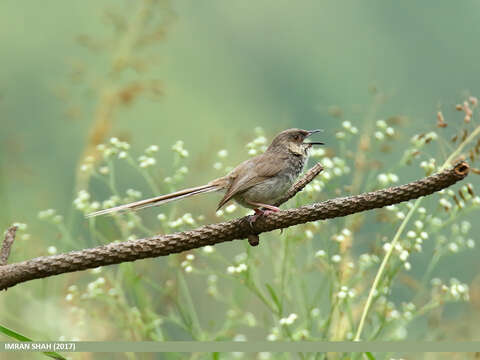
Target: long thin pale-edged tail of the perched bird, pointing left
{"x": 159, "y": 200}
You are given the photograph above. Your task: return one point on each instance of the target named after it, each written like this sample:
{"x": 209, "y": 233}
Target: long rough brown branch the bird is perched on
{"x": 162, "y": 245}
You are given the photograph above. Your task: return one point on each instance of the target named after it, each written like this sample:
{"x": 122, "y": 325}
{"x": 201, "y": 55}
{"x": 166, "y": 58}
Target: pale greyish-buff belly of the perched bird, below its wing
{"x": 266, "y": 192}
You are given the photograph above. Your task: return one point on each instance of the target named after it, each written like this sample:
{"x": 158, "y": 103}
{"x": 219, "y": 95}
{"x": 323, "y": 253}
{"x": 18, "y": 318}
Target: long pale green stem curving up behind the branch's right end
{"x": 399, "y": 232}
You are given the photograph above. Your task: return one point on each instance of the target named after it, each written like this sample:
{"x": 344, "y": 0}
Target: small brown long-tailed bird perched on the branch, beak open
{"x": 256, "y": 183}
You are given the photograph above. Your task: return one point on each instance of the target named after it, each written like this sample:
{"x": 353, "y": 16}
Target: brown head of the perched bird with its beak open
{"x": 293, "y": 140}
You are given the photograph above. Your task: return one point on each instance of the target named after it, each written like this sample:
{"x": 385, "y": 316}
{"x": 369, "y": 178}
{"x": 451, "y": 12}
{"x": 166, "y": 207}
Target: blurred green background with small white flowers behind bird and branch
{"x": 85, "y": 86}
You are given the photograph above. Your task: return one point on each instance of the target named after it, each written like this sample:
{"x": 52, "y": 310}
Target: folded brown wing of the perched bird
{"x": 251, "y": 173}
